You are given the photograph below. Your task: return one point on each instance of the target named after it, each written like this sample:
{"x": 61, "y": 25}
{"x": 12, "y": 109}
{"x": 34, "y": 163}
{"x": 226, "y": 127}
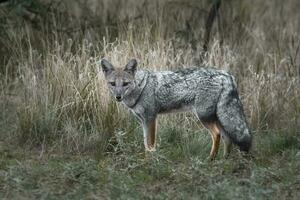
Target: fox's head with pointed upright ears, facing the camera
{"x": 120, "y": 81}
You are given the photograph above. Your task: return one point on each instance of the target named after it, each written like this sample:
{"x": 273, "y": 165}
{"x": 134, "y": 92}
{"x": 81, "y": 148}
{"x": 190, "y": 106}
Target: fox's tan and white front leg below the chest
{"x": 150, "y": 135}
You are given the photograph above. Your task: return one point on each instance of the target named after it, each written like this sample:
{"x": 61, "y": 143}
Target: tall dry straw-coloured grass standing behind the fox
{"x": 62, "y": 101}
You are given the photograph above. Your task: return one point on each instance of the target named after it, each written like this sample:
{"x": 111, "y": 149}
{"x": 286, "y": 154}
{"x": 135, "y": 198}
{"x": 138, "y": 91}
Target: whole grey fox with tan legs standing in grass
{"x": 210, "y": 93}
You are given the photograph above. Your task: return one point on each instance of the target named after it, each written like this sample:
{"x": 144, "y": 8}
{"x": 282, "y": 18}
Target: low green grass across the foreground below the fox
{"x": 134, "y": 175}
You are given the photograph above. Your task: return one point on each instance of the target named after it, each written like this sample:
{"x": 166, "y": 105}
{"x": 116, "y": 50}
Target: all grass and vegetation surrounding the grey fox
{"x": 62, "y": 137}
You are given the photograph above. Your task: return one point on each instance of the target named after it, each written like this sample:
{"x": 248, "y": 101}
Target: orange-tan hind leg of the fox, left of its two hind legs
{"x": 215, "y": 136}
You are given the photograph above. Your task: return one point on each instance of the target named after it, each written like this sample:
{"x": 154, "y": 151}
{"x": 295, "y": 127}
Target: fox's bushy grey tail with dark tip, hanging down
{"x": 232, "y": 118}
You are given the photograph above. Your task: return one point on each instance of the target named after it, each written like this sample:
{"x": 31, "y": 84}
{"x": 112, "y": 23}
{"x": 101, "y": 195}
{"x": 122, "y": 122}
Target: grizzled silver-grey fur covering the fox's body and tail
{"x": 210, "y": 93}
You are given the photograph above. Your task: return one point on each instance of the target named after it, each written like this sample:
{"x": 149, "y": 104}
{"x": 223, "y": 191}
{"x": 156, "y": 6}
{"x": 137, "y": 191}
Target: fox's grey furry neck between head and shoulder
{"x": 131, "y": 99}
